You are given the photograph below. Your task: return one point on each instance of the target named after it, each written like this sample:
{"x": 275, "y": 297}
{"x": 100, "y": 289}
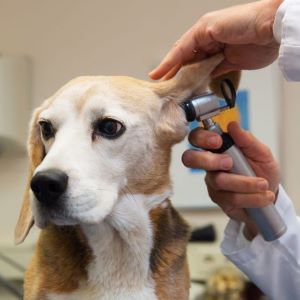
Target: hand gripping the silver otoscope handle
{"x": 234, "y": 192}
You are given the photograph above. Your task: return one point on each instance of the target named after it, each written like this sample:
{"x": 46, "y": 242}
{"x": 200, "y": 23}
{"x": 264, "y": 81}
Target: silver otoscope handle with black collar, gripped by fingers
{"x": 267, "y": 219}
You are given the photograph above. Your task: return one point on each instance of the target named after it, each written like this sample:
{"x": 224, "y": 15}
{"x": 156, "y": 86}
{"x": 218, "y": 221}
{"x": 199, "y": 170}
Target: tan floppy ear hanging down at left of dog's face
{"x": 36, "y": 153}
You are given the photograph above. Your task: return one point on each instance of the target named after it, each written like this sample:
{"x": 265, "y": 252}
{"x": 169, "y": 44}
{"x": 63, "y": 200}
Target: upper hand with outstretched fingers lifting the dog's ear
{"x": 243, "y": 33}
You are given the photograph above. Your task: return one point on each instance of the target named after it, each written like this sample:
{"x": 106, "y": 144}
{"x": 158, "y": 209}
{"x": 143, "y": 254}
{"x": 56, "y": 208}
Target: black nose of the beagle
{"x": 49, "y": 185}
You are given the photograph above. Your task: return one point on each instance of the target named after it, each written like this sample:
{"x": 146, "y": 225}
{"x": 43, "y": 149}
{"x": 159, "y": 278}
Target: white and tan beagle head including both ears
{"x": 97, "y": 137}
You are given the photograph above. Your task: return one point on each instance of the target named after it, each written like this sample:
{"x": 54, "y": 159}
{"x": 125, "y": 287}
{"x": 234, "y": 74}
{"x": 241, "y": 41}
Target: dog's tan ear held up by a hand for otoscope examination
{"x": 191, "y": 80}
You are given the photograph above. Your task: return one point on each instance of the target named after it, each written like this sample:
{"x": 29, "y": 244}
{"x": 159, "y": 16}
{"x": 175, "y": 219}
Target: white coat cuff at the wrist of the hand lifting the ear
{"x": 286, "y": 29}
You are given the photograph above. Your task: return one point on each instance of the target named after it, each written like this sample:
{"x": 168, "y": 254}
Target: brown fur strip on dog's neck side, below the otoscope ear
{"x": 168, "y": 258}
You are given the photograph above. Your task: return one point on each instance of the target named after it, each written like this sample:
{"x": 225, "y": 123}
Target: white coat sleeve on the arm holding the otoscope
{"x": 273, "y": 266}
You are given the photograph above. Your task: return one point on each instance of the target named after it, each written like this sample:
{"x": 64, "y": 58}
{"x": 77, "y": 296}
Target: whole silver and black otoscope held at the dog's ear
{"x": 203, "y": 108}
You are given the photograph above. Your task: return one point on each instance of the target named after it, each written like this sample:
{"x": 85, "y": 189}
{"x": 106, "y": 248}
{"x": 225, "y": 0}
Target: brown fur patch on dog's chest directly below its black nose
{"x": 59, "y": 264}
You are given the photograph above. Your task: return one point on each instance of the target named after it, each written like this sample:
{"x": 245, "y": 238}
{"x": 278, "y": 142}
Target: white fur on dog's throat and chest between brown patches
{"x": 121, "y": 246}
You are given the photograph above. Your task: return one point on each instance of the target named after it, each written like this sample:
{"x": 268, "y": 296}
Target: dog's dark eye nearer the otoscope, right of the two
{"x": 108, "y": 128}
